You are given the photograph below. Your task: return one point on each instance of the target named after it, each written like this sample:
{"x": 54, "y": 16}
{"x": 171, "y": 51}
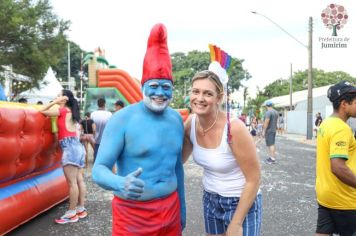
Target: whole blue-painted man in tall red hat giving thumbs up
{"x": 145, "y": 140}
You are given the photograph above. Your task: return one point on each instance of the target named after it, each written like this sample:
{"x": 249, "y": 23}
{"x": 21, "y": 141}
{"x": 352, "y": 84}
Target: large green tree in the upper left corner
{"x": 32, "y": 38}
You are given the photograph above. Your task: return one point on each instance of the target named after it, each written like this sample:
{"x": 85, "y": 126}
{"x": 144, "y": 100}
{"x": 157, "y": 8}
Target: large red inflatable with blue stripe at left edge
{"x": 31, "y": 177}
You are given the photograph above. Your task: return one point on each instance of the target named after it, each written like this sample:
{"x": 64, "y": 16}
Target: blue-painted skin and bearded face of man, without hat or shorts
{"x": 145, "y": 141}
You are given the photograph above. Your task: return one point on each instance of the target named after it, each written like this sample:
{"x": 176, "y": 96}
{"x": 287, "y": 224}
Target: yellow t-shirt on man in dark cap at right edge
{"x": 335, "y": 140}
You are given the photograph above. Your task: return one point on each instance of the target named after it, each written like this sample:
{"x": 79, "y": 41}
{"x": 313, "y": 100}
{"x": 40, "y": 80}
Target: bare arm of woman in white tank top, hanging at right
{"x": 244, "y": 150}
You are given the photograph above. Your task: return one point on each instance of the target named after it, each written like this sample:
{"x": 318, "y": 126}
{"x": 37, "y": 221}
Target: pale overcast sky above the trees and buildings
{"x": 122, "y": 29}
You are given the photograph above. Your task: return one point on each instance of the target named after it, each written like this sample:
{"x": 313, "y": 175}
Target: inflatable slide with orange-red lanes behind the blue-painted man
{"x": 111, "y": 83}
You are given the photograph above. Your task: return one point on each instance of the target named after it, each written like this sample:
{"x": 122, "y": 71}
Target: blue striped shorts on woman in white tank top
{"x": 219, "y": 210}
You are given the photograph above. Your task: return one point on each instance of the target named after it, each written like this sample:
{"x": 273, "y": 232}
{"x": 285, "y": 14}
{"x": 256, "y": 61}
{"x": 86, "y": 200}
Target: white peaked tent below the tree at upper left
{"x": 49, "y": 89}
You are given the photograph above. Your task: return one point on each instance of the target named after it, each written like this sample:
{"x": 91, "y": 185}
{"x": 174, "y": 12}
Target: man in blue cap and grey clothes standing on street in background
{"x": 269, "y": 131}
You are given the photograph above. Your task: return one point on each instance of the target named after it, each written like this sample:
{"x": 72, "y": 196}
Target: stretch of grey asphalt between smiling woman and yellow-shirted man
{"x": 289, "y": 203}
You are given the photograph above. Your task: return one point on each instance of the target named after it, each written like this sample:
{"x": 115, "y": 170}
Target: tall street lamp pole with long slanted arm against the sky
{"x": 310, "y": 67}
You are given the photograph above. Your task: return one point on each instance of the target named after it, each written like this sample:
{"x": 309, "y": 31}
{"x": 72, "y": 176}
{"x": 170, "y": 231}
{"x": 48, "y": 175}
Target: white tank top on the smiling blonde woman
{"x": 222, "y": 174}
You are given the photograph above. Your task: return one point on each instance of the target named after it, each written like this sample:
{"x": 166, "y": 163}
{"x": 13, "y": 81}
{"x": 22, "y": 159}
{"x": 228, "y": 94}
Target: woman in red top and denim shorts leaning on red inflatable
{"x": 73, "y": 153}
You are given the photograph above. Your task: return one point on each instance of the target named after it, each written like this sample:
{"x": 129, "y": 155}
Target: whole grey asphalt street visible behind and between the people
{"x": 289, "y": 205}
